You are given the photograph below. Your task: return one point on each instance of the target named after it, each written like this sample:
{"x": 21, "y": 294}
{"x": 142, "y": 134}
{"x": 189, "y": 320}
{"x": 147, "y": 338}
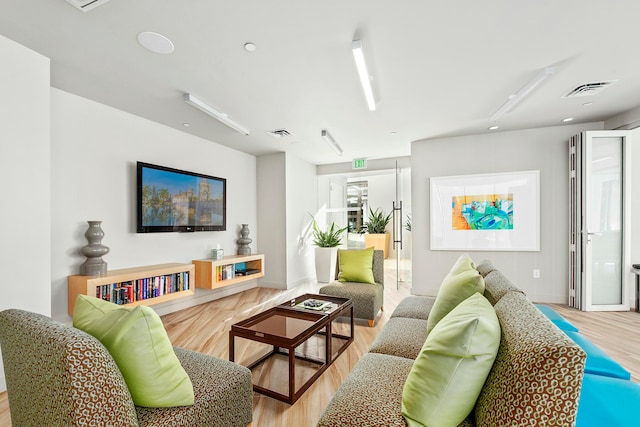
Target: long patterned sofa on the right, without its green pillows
{"x": 535, "y": 379}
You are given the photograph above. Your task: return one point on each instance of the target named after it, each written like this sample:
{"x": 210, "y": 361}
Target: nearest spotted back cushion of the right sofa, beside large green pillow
{"x": 538, "y": 372}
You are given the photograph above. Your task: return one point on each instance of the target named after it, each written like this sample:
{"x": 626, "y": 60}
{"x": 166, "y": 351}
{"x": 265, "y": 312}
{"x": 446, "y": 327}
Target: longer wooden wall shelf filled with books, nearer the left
{"x": 90, "y": 285}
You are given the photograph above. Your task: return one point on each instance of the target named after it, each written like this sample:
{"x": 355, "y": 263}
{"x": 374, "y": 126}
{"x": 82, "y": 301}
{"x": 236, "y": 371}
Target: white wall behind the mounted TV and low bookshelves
{"x": 93, "y": 177}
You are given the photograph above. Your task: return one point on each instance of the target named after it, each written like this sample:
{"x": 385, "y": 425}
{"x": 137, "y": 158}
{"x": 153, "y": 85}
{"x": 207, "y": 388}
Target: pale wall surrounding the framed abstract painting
{"x": 544, "y": 149}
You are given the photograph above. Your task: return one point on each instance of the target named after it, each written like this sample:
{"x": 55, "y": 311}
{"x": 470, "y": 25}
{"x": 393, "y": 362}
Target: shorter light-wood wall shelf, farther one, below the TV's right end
{"x": 216, "y": 273}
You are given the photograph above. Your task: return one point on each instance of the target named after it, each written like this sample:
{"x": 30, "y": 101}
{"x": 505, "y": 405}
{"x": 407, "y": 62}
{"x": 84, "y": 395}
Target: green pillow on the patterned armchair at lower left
{"x": 139, "y": 344}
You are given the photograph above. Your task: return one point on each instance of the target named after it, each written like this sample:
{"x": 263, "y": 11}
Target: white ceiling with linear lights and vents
{"x": 439, "y": 68}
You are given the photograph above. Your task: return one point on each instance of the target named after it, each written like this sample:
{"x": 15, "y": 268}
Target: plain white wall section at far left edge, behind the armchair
{"x": 25, "y": 229}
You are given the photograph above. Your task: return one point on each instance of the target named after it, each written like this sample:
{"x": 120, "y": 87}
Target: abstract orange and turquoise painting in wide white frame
{"x": 486, "y": 212}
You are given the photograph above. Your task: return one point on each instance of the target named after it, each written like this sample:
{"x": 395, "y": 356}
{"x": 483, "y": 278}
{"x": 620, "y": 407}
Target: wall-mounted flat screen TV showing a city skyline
{"x": 174, "y": 200}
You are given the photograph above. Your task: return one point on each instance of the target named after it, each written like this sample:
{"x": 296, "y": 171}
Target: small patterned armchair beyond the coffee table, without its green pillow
{"x": 367, "y": 298}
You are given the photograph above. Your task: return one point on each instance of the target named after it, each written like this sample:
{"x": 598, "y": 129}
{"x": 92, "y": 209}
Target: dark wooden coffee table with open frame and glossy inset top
{"x": 287, "y": 327}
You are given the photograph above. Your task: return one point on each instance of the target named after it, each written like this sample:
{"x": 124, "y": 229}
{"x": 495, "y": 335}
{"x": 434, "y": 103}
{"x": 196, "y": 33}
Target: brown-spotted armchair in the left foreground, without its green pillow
{"x": 58, "y": 375}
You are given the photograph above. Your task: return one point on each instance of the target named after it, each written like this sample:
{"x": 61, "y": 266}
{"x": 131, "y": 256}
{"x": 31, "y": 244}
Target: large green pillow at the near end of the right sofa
{"x": 452, "y": 367}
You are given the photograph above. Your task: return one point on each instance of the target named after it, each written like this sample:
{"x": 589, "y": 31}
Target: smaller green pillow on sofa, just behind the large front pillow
{"x": 453, "y": 290}
